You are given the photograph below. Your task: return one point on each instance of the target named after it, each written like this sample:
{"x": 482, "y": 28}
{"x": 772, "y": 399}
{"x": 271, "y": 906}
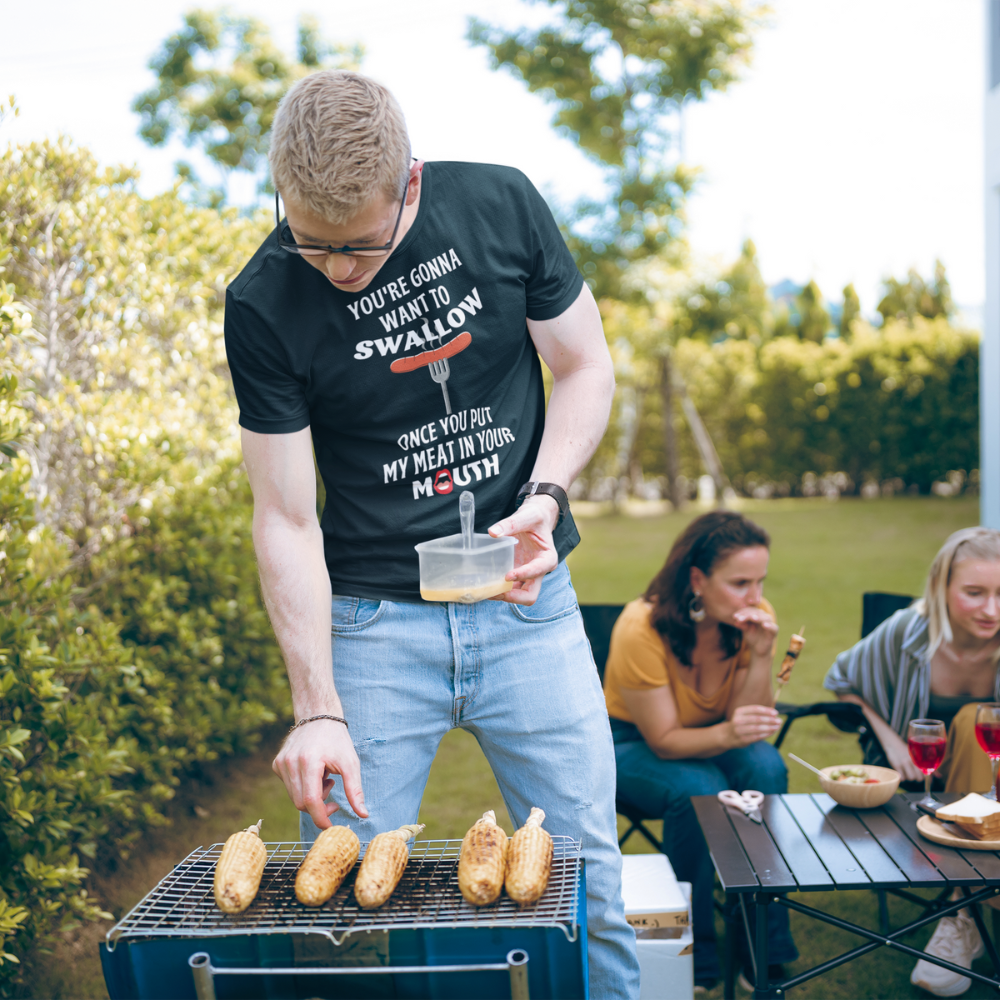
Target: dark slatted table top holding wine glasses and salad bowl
{"x": 807, "y": 843}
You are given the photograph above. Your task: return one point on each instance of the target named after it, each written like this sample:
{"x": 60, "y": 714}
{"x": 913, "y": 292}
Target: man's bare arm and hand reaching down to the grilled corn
{"x": 289, "y": 546}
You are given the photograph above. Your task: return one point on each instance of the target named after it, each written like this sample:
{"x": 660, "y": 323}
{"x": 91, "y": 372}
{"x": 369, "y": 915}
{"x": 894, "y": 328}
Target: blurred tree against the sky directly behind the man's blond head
{"x": 219, "y": 81}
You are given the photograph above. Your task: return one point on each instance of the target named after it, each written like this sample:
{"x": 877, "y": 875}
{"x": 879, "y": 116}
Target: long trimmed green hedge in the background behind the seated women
{"x": 898, "y": 402}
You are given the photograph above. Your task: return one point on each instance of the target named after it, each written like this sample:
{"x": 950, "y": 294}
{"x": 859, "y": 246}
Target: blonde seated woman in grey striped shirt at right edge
{"x": 936, "y": 659}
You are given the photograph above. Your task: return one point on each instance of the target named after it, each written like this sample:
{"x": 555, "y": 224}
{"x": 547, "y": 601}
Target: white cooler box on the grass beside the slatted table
{"x": 658, "y": 907}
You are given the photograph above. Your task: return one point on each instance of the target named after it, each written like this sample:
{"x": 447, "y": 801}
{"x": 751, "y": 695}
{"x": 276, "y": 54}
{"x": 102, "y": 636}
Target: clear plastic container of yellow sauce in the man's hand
{"x": 449, "y": 572}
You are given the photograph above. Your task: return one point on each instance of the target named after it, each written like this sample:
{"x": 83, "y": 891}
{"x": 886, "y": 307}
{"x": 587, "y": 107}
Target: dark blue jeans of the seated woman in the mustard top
{"x": 664, "y": 788}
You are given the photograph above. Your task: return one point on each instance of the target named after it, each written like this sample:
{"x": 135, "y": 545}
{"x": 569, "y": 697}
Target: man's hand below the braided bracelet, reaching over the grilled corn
{"x": 306, "y": 763}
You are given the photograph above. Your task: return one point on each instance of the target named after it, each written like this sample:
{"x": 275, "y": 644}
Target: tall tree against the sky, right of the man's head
{"x": 619, "y": 72}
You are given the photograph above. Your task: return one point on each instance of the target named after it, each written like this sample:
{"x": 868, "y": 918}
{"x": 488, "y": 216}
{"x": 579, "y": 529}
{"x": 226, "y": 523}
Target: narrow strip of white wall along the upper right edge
{"x": 989, "y": 378}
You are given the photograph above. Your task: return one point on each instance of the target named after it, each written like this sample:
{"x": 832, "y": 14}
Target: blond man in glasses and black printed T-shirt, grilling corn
{"x": 393, "y": 323}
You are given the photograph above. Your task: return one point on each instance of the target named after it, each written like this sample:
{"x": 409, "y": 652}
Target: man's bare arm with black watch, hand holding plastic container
{"x": 573, "y": 347}
